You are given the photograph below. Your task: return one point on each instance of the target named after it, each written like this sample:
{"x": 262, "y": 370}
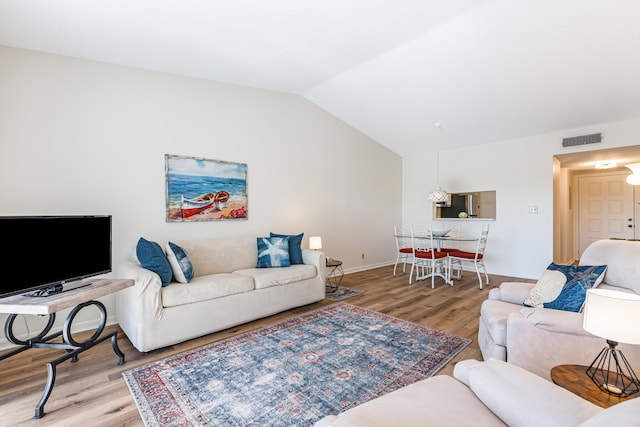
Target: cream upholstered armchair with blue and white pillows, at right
{"x": 538, "y": 339}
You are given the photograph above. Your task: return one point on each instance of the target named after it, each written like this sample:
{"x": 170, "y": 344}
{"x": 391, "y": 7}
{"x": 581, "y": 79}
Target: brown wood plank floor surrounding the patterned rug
{"x": 93, "y": 392}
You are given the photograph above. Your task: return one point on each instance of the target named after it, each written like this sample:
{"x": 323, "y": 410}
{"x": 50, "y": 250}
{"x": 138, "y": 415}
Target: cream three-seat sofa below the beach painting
{"x": 226, "y": 290}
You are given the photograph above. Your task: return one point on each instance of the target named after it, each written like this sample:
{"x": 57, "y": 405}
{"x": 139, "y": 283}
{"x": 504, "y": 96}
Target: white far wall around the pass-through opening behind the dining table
{"x": 521, "y": 171}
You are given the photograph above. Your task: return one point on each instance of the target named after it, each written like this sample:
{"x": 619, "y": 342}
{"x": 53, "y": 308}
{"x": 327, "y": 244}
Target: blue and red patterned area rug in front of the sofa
{"x": 292, "y": 373}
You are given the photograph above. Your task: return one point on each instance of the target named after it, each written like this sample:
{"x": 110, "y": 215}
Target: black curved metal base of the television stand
{"x": 68, "y": 344}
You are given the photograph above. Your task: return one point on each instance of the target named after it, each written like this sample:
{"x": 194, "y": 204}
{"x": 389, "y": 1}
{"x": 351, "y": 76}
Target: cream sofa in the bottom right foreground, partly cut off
{"x": 483, "y": 394}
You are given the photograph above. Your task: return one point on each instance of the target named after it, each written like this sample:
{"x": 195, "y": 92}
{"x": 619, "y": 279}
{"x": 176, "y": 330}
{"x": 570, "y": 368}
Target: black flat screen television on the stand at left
{"x": 43, "y": 253}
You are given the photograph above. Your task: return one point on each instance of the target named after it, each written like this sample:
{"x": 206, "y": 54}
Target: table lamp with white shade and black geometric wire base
{"x": 614, "y": 316}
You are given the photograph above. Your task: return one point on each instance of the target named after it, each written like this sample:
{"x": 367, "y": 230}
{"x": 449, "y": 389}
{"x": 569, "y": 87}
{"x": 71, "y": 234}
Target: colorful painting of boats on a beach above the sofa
{"x": 204, "y": 189}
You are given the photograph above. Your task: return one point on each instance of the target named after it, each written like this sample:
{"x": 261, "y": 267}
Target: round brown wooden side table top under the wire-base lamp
{"x": 575, "y": 379}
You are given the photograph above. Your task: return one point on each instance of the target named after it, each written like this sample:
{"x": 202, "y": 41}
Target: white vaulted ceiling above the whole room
{"x": 488, "y": 70}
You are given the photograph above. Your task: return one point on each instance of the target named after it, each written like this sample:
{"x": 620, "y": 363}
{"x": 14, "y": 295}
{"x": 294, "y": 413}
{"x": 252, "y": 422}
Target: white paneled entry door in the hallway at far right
{"x": 605, "y": 208}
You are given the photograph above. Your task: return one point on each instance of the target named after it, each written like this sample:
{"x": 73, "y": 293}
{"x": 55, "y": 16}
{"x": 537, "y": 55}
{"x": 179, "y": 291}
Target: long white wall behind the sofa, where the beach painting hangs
{"x": 81, "y": 137}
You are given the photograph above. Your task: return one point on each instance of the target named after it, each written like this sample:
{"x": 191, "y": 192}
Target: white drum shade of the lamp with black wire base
{"x": 612, "y": 315}
